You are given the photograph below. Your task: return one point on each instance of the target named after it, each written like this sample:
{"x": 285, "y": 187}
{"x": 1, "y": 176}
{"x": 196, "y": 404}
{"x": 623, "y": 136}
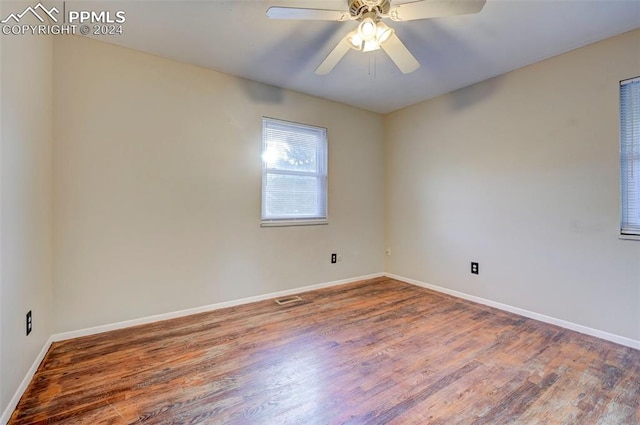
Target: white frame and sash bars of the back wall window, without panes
{"x": 321, "y": 175}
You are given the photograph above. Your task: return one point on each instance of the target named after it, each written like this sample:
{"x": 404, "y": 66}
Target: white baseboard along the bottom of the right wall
{"x": 628, "y": 342}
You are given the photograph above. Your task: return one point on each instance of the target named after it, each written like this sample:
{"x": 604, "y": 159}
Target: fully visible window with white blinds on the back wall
{"x": 294, "y": 173}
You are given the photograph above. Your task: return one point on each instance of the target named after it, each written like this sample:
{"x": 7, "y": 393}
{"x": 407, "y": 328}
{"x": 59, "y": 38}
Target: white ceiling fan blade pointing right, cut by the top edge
{"x": 434, "y": 9}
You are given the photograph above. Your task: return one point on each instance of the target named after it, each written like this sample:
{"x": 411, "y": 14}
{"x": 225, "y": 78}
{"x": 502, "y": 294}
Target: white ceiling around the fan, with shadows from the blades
{"x": 236, "y": 37}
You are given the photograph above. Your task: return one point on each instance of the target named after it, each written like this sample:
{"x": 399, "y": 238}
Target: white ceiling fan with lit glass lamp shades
{"x": 373, "y": 34}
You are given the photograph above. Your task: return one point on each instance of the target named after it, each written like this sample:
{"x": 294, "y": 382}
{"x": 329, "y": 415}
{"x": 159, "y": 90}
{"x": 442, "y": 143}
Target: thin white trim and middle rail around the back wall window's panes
{"x": 287, "y": 221}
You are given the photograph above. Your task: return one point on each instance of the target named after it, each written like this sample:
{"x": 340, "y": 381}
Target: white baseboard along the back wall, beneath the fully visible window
{"x": 203, "y": 309}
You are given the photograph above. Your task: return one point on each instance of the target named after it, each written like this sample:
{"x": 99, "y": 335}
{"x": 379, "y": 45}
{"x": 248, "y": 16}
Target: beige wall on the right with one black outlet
{"x": 520, "y": 173}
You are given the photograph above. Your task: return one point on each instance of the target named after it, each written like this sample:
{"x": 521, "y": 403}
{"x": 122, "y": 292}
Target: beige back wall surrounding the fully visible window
{"x": 157, "y": 176}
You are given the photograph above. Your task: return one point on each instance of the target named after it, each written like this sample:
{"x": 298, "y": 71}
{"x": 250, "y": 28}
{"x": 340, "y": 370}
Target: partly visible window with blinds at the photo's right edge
{"x": 630, "y": 156}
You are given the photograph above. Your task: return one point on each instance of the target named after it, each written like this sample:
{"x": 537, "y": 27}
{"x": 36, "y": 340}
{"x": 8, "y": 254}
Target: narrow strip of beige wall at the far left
{"x": 25, "y": 204}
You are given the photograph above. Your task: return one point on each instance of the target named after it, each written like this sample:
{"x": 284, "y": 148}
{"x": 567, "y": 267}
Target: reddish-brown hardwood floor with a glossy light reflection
{"x": 373, "y": 352}
